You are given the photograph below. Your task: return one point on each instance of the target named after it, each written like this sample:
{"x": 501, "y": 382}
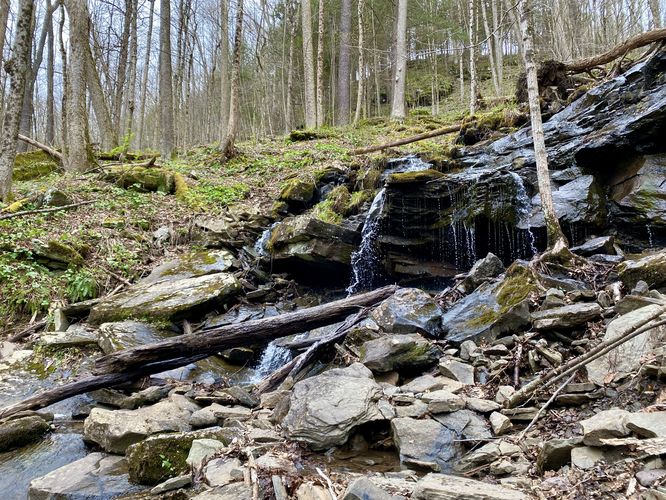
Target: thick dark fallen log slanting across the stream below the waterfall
{"x": 240, "y": 334}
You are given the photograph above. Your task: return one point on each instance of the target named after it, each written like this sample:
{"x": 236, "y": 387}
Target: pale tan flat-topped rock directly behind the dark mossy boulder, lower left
{"x": 115, "y": 430}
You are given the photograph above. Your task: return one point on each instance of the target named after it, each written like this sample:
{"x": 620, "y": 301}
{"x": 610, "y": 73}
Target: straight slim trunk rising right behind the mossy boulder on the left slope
{"x": 165, "y": 85}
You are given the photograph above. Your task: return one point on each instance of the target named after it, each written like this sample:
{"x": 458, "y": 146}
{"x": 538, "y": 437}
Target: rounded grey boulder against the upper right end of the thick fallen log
{"x": 409, "y": 310}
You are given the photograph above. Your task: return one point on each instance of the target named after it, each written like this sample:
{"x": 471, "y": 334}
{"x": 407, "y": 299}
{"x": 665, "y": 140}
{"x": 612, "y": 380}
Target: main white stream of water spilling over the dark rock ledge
{"x": 366, "y": 260}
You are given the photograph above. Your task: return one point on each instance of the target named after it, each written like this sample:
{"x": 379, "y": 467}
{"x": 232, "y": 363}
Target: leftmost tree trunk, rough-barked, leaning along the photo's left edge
{"x": 17, "y": 67}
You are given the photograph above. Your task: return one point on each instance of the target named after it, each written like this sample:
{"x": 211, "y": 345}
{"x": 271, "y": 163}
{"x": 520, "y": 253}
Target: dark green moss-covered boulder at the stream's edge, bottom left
{"x": 164, "y": 455}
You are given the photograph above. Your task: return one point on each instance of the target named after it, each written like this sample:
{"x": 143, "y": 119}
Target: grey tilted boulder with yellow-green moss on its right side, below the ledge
{"x": 492, "y": 309}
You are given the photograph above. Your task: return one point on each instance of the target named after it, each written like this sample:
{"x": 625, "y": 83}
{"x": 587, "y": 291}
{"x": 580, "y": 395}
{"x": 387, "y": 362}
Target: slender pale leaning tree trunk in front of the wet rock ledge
{"x": 556, "y": 239}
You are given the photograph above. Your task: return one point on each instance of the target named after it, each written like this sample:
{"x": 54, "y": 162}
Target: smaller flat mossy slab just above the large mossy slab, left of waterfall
{"x": 192, "y": 265}
